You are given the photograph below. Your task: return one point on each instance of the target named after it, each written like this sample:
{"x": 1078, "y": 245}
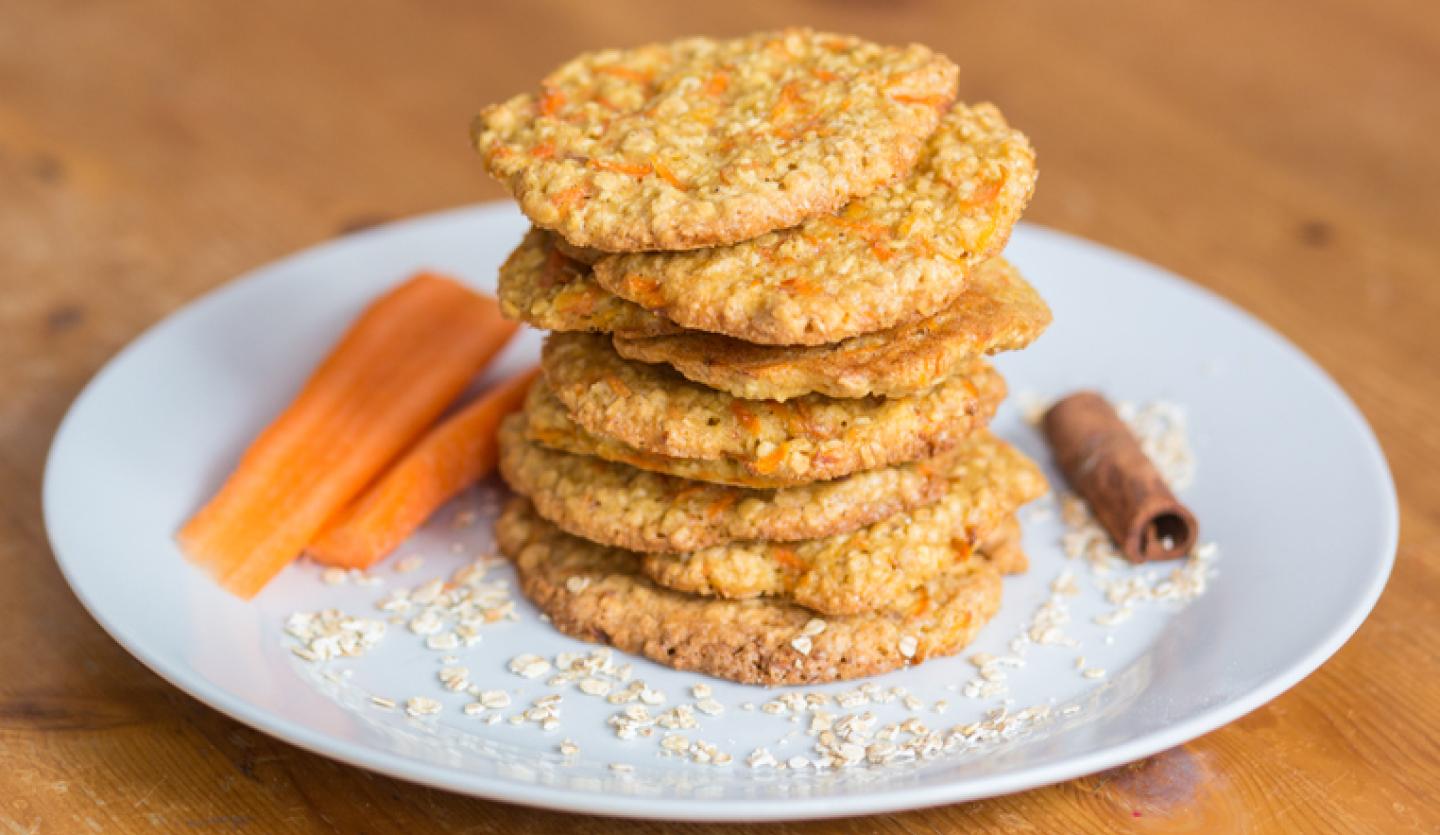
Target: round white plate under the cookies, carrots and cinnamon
{"x": 1291, "y": 486}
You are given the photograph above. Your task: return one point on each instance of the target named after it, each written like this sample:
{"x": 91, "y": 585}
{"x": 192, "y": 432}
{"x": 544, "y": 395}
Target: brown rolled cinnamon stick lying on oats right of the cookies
{"x": 1105, "y": 464}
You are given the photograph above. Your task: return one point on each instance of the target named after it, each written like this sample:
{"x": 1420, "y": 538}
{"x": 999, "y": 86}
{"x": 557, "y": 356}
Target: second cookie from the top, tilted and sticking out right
{"x": 895, "y": 257}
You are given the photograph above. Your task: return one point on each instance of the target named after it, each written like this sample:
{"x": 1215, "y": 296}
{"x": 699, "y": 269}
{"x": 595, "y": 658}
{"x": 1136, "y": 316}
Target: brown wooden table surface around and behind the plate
{"x": 1281, "y": 153}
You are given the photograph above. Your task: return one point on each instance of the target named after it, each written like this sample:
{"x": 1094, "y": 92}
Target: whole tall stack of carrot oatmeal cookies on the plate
{"x": 771, "y": 270}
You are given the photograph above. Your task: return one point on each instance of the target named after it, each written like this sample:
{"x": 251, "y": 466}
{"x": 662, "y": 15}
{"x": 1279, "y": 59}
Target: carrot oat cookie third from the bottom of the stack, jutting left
{"x": 644, "y": 512}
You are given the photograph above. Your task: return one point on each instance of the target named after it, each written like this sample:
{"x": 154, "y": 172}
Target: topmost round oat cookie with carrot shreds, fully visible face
{"x": 706, "y": 143}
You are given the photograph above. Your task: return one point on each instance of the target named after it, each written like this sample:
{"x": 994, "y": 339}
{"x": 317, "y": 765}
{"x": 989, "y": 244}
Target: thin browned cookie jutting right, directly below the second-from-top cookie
{"x": 999, "y": 312}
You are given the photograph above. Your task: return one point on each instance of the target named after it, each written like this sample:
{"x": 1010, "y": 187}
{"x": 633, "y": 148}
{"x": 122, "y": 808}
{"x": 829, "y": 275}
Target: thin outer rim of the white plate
{"x": 904, "y": 798}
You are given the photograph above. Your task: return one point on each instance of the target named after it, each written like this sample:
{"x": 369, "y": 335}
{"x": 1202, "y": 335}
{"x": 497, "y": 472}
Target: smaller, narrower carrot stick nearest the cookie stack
{"x": 451, "y": 457}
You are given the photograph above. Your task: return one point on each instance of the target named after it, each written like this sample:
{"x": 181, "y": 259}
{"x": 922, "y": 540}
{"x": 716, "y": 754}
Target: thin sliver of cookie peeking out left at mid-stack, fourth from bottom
{"x": 549, "y": 424}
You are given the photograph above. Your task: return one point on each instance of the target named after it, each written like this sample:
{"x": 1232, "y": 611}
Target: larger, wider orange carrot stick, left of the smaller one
{"x": 408, "y": 356}
